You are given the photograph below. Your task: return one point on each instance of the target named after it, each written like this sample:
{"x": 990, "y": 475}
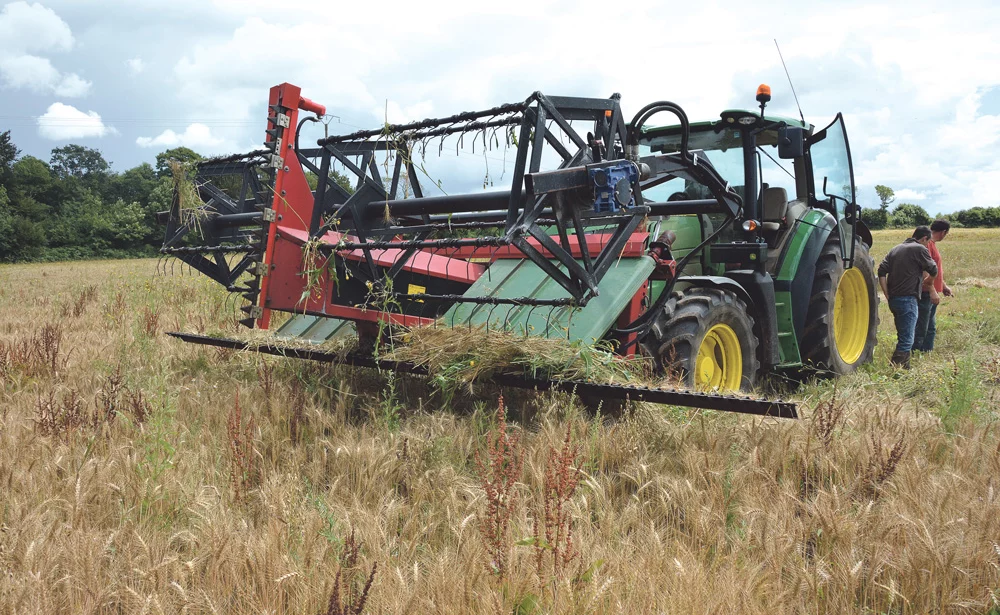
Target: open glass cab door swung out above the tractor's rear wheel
{"x": 833, "y": 181}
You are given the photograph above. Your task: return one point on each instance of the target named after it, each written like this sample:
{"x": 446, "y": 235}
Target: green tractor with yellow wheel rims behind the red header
{"x": 792, "y": 288}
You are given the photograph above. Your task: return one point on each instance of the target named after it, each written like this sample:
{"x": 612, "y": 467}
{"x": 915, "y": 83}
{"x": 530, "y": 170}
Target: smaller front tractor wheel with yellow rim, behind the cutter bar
{"x": 705, "y": 337}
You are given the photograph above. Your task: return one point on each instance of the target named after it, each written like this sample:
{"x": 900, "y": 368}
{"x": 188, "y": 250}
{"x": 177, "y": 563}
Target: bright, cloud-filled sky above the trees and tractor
{"x": 918, "y": 82}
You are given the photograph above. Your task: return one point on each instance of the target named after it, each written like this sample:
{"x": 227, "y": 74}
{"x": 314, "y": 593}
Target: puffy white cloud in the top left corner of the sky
{"x": 26, "y": 28}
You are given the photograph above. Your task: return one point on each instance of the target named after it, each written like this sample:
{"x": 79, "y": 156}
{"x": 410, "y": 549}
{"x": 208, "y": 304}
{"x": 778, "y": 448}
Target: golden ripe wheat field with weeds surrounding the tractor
{"x": 882, "y": 499}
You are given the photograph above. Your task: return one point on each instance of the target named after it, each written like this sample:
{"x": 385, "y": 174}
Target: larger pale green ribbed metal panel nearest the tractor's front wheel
{"x": 511, "y": 279}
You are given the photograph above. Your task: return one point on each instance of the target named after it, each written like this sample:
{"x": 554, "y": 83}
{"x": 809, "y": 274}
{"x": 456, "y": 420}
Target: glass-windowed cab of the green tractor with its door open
{"x": 779, "y": 166}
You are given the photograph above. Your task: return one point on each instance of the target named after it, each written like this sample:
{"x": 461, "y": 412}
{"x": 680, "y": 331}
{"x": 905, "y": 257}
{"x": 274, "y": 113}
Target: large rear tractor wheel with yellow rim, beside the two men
{"x": 842, "y": 320}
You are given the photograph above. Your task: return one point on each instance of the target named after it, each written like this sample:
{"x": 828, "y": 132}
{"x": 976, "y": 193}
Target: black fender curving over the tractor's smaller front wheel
{"x": 756, "y": 290}
